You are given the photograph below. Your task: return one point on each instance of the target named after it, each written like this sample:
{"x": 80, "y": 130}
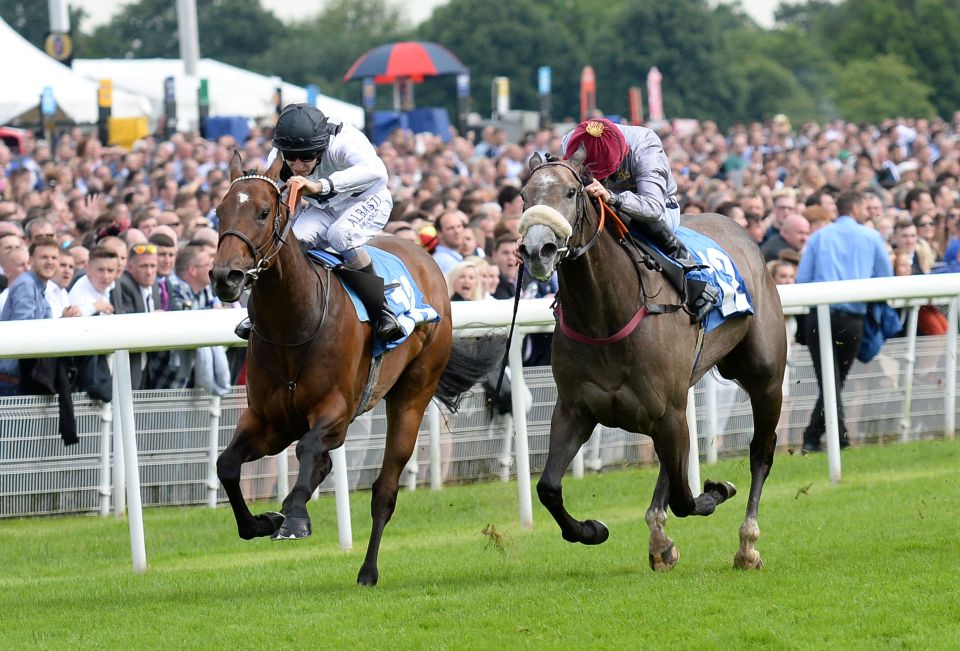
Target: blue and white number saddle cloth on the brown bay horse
{"x": 404, "y": 298}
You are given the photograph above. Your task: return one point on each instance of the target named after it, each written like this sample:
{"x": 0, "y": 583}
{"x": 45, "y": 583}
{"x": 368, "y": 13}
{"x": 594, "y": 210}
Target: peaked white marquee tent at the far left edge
{"x": 28, "y": 70}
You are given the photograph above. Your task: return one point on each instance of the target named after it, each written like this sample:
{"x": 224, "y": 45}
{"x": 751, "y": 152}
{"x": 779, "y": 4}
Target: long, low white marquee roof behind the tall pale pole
{"x": 232, "y": 91}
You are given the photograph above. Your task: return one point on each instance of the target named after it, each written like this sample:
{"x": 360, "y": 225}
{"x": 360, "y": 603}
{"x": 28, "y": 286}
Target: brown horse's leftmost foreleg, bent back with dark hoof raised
{"x": 241, "y": 450}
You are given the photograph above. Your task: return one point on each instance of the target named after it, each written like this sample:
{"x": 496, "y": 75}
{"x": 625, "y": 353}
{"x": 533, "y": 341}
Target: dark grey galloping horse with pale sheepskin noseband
{"x": 638, "y": 381}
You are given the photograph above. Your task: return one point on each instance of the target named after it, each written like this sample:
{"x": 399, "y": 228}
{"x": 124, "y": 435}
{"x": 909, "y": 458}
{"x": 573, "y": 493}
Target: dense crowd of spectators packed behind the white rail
{"x": 134, "y": 230}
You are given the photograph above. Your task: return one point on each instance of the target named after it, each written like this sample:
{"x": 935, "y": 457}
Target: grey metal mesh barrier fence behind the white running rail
{"x": 39, "y": 476}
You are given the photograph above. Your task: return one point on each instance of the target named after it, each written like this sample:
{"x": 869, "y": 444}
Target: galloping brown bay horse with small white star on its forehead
{"x": 309, "y": 359}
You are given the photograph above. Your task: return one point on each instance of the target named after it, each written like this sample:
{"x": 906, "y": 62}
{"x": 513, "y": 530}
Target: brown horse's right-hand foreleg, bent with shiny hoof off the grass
{"x": 313, "y": 453}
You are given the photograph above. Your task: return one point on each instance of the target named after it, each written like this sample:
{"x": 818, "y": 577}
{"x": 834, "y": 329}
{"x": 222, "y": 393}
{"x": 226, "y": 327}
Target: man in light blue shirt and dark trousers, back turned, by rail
{"x": 845, "y": 250}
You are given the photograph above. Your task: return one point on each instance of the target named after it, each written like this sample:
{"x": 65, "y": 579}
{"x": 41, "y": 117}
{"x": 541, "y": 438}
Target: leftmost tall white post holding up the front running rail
{"x": 135, "y": 511}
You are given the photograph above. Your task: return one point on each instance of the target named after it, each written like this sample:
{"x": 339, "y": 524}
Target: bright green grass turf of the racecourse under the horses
{"x": 870, "y": 563}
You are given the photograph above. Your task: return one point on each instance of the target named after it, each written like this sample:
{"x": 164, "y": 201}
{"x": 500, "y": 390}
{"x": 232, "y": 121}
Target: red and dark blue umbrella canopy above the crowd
{"x": 411, "y": 59}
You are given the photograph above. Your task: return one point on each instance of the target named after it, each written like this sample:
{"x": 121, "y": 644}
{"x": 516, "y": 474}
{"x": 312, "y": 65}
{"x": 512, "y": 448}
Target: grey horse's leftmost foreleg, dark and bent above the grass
{"x": 568, "y": 432}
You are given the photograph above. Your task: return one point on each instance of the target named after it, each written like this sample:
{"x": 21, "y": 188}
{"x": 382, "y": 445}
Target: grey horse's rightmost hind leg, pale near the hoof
{"x": 766, "y": 414}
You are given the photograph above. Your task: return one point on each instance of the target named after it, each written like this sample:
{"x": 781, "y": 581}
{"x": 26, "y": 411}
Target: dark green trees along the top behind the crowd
{"x": 823, "y": 59}
